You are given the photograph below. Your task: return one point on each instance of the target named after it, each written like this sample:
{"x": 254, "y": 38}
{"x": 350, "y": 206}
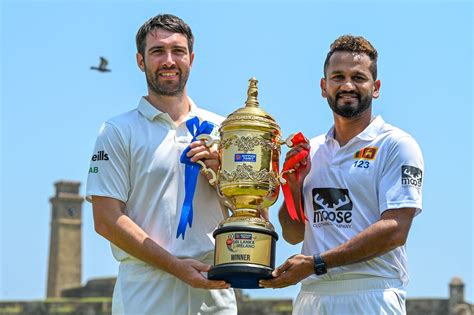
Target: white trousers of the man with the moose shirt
{"x": 364, "y": 296}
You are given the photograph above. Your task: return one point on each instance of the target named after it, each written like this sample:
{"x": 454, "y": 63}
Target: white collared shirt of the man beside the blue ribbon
{"x": 136, "y": 160}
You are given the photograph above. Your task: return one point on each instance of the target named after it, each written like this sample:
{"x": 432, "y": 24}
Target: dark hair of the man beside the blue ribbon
{"x": 167, "y": 22}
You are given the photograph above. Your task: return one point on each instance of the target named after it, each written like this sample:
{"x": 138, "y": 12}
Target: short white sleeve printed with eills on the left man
{"x": 109, "y": 166}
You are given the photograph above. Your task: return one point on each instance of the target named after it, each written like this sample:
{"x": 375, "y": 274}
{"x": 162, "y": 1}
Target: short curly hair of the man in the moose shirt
{"x": 356, "y": 45}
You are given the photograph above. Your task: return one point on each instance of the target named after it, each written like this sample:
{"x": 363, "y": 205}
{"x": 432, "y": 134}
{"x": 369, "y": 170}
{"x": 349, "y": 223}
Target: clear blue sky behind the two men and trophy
{"x": 52, "y": 106}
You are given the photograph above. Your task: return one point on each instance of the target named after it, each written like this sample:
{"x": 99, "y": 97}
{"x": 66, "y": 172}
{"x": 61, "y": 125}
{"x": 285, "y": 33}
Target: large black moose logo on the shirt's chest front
{"x": 332, "y": 206}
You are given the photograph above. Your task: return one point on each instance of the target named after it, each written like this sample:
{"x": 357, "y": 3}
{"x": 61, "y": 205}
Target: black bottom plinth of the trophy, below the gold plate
{"x": 242, "y": 276}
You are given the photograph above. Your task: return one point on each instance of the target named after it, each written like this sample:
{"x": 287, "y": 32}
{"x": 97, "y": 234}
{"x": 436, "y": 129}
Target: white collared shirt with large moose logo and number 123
{"x": 349, "y": 187}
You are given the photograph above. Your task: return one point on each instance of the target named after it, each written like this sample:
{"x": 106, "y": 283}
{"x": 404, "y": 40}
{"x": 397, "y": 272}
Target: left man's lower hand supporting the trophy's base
{"x": 190, "y": 271}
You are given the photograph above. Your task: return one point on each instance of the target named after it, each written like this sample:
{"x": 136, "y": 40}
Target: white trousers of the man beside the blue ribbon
{"x": 141, "y": 289}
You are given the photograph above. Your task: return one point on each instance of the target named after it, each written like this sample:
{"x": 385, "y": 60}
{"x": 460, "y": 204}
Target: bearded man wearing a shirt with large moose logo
{"x": 361, "y": 188}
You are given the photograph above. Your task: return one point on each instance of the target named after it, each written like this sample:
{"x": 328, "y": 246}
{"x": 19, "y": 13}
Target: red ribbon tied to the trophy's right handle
{"x": 289, "y": 165}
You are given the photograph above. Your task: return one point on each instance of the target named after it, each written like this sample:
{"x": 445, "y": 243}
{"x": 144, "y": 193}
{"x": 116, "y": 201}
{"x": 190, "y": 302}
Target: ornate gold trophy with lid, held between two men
{"x": 248, "y": 180}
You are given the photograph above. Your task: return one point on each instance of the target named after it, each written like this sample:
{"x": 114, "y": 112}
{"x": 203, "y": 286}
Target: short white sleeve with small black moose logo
{"x": 401, "y": 181}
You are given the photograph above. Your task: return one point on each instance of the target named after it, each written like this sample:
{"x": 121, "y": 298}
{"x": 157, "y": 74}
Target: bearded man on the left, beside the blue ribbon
{"x": 136, "y": 185}
